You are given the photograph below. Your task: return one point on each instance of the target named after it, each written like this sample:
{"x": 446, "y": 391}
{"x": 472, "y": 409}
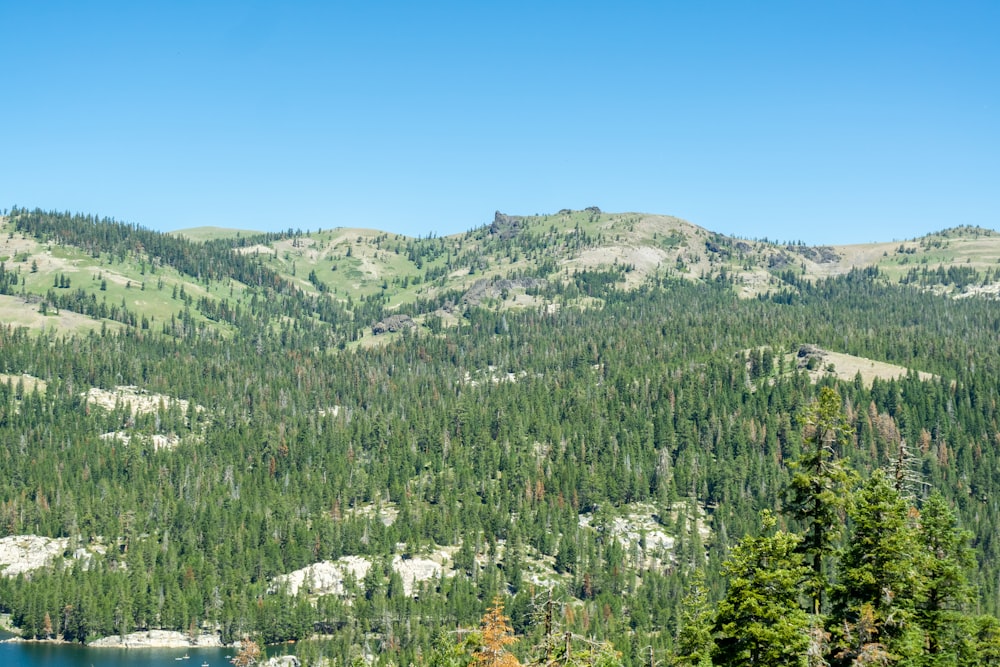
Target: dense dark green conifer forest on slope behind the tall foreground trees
{"x": 513, "y": 439}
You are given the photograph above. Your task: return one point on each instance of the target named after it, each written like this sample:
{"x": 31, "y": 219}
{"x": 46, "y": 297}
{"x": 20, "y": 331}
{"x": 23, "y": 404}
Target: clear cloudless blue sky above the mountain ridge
{"x": 828, "y": 122}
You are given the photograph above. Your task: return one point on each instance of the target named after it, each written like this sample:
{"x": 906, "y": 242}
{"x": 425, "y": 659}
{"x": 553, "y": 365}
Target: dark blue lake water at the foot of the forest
{"x": 25, "y": 654}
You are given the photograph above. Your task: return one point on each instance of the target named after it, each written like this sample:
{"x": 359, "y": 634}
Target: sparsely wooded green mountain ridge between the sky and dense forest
{"x": 61, "y": 266}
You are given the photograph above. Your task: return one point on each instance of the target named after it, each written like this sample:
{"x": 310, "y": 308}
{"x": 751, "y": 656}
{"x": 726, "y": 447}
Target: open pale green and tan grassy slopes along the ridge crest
{"x": 362, "y": 262}
